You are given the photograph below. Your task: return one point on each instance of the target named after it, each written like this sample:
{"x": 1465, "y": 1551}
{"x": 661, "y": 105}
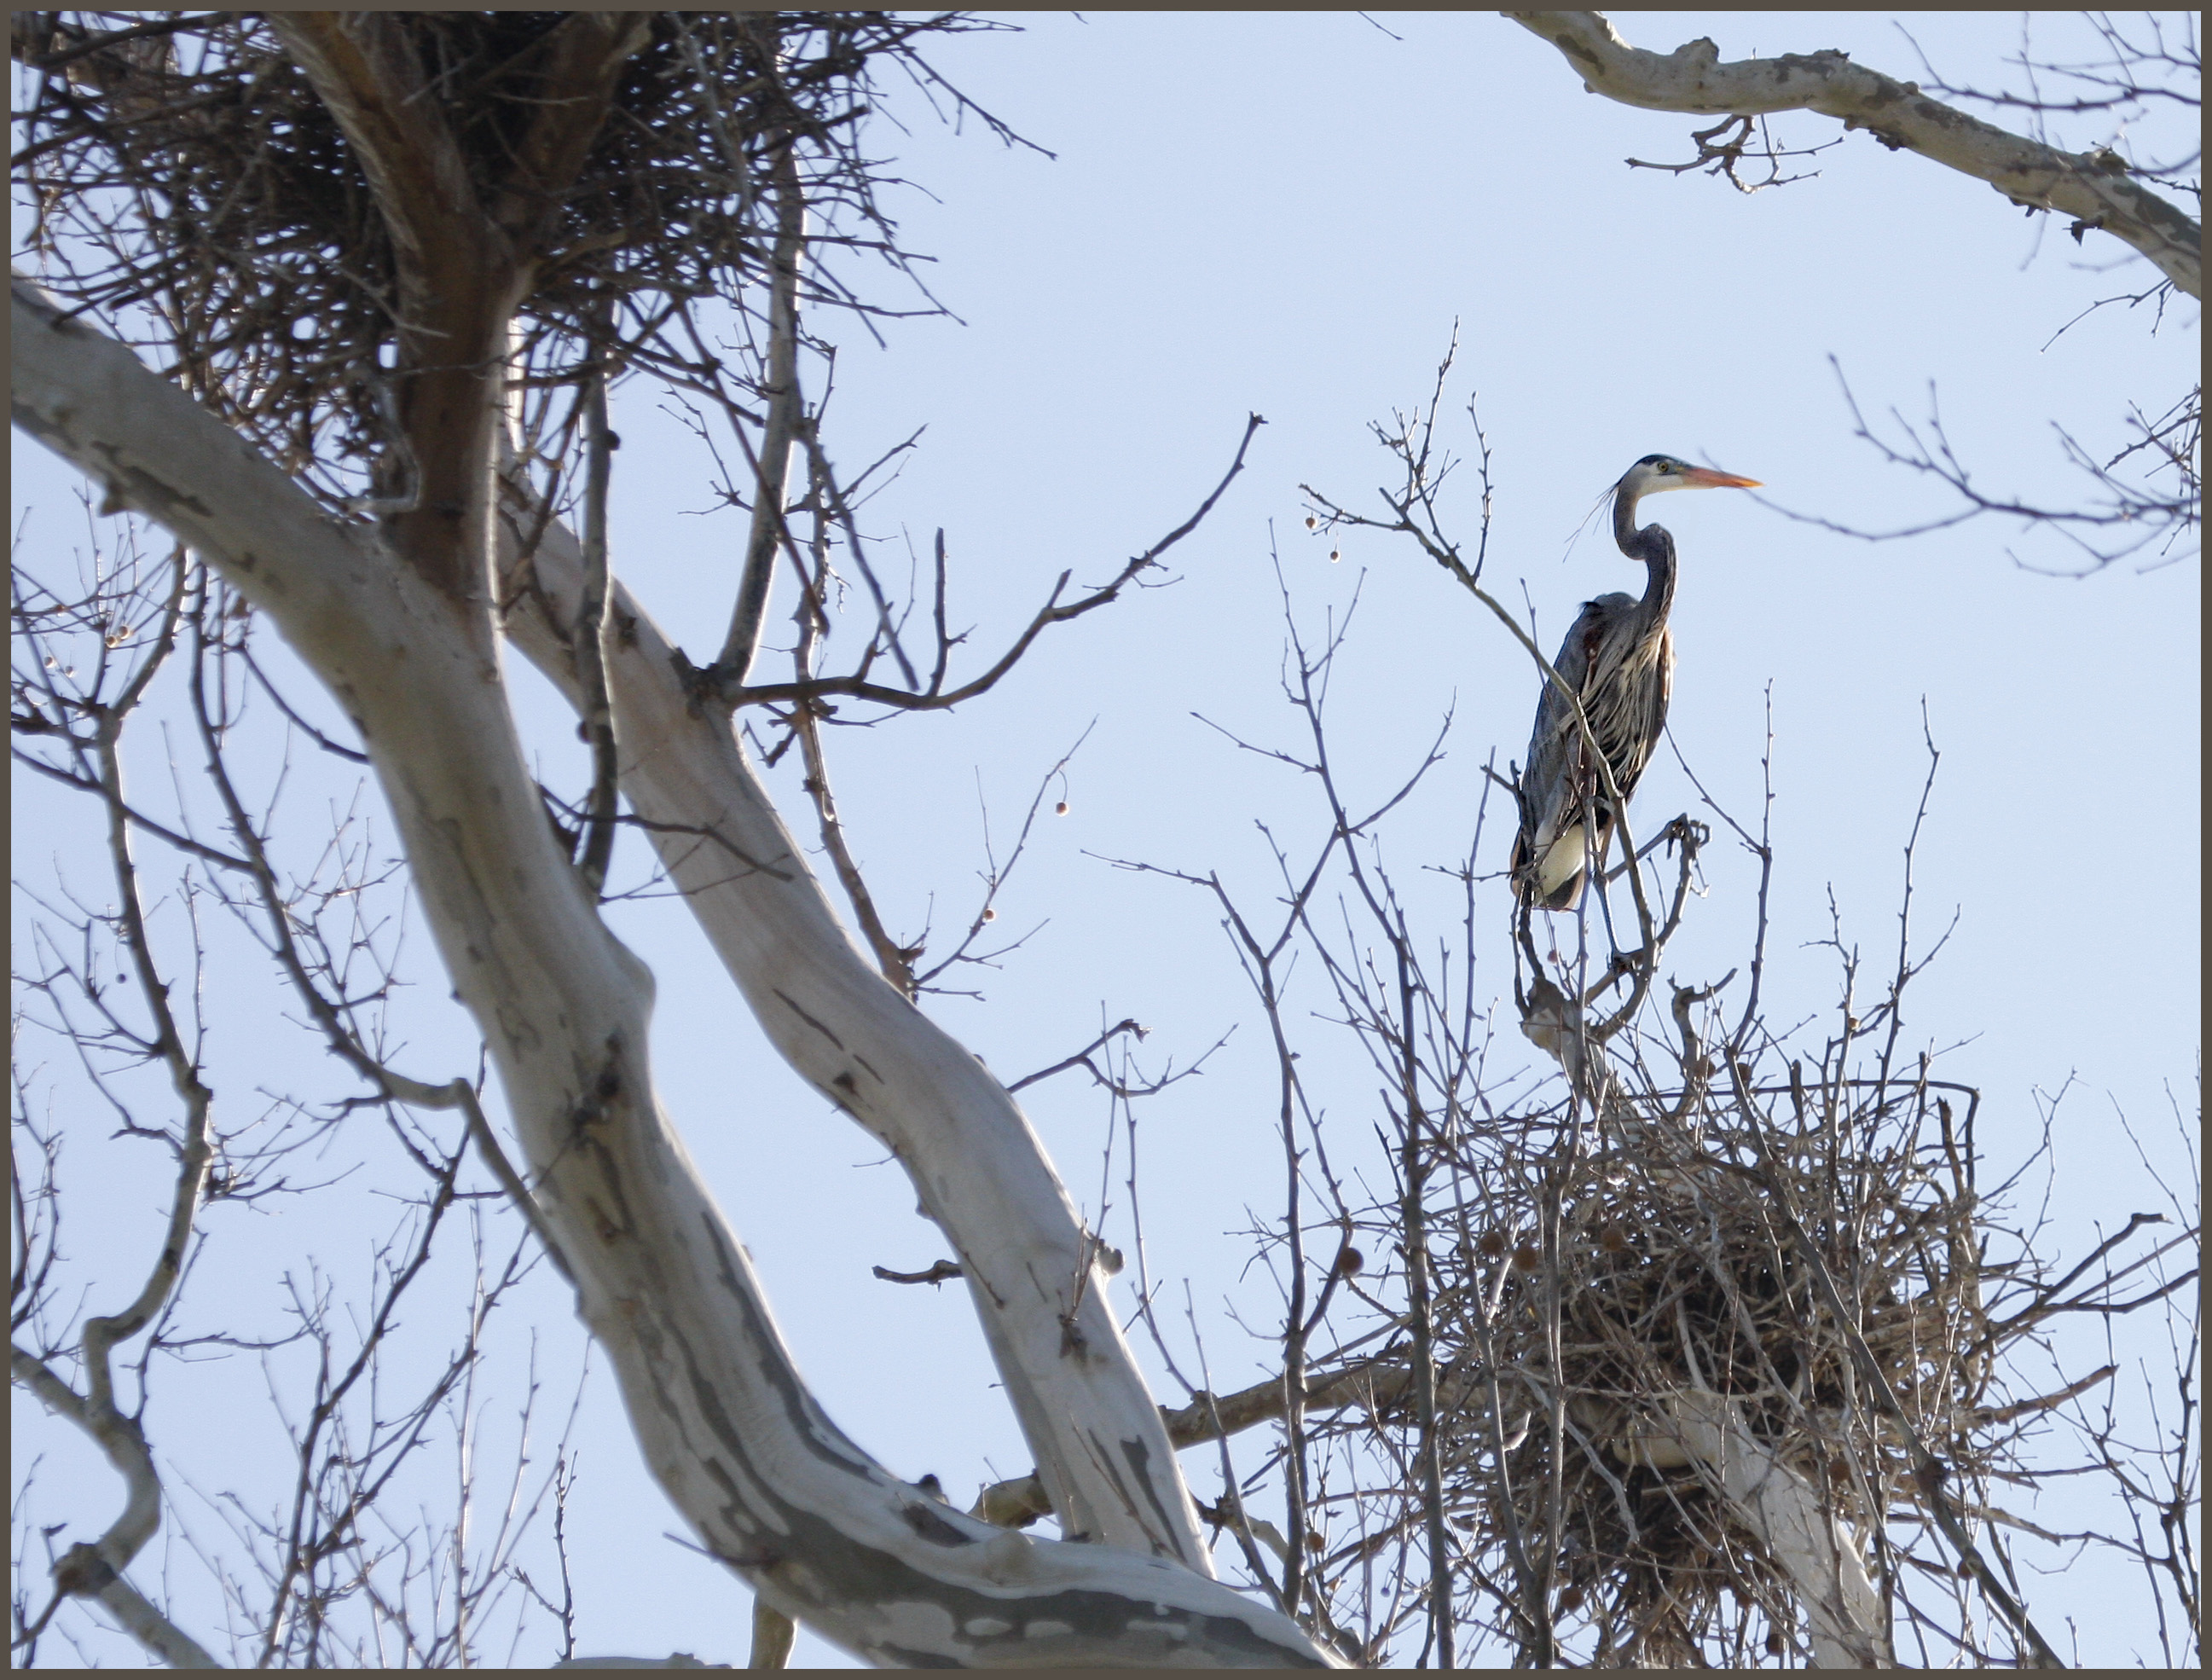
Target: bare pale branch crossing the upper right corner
{"x": 2091, "y": 187}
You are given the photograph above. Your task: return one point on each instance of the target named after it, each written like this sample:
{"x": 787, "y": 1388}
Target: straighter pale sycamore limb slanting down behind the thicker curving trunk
{"x": 977, "y": 1163}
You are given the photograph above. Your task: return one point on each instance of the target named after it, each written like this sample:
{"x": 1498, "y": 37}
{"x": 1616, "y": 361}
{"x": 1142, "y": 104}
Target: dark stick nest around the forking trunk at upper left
{"x": 194, "y": 194}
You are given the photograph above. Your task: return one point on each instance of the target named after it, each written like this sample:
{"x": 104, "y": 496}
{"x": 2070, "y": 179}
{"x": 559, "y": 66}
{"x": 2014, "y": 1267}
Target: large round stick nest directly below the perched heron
{"x": 1649, "y": 1263}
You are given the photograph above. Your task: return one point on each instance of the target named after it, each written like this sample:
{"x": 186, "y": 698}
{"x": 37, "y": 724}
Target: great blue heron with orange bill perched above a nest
{"x": 1620, "y": 663}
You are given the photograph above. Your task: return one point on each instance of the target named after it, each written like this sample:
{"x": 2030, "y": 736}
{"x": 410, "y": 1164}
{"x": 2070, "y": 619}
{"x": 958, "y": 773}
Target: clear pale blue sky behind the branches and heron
{"x": 1286, "y": 216}
